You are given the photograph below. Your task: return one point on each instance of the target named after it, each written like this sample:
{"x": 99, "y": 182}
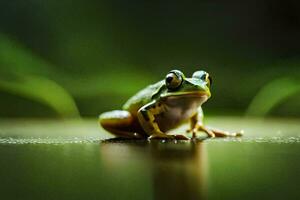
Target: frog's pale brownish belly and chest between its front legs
{"x": 174, "y": 116}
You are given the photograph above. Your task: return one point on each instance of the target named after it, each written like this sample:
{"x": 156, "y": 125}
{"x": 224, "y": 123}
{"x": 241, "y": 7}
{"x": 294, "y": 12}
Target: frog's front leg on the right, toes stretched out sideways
{"x": 196, "y": 125}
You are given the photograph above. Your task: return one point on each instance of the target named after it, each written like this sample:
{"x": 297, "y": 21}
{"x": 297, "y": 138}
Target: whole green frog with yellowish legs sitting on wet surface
{"x": 163, "y": 106}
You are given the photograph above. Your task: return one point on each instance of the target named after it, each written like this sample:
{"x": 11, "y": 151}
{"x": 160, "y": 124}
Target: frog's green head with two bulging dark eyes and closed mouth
{"x": 177, "y": 85}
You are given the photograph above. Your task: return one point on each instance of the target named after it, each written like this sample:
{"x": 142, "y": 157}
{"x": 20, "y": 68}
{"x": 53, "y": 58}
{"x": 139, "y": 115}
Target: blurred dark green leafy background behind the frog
{"x": 80, "y": 58}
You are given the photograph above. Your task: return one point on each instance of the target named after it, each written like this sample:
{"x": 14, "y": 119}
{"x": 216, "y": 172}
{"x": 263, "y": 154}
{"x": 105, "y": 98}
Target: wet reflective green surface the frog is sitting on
{"x": 70, "y": 160}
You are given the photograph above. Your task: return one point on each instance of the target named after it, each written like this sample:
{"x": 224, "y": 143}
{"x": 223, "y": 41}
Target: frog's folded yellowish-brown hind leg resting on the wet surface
{"x": 120, "y": 123}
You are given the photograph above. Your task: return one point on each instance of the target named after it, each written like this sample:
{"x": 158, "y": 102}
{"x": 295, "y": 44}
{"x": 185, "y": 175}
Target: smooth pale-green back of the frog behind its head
{"x": 141, "y": 98}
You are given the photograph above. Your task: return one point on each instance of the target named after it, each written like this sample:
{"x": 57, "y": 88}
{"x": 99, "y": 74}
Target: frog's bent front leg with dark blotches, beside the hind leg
{"x": 146, "y": 116}
